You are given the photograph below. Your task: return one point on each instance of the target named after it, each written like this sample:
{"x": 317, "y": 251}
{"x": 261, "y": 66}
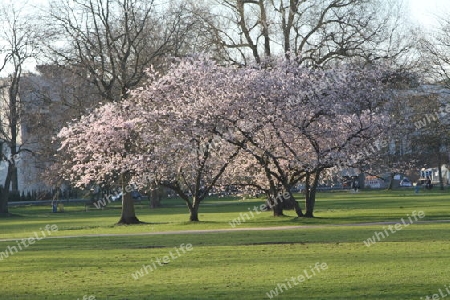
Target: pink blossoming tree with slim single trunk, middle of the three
{"x": 180, "y": 114}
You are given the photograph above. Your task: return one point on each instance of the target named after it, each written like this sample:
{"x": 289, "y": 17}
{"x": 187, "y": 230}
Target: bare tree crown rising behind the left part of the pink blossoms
{"x": 114, "y": 41}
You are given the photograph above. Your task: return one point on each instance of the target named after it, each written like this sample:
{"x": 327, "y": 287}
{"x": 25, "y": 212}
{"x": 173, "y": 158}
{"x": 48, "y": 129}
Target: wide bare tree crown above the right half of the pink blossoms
{"x": 315, "y": 32}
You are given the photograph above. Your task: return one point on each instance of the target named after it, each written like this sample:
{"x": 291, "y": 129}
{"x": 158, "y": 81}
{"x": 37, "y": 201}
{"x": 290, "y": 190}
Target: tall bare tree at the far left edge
{"x": 19, "y": 44}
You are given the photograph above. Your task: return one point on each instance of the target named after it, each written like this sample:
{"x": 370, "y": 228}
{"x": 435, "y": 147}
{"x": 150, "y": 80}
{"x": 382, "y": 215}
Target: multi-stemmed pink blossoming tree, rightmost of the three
{"x": 307, "y": 120}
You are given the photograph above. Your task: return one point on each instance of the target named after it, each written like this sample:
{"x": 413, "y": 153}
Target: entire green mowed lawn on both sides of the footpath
{"x": 153, "y": 263}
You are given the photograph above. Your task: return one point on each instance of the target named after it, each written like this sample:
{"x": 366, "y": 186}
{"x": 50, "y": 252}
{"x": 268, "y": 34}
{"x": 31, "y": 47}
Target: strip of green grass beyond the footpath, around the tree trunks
{"x": 331, "y": 208}
